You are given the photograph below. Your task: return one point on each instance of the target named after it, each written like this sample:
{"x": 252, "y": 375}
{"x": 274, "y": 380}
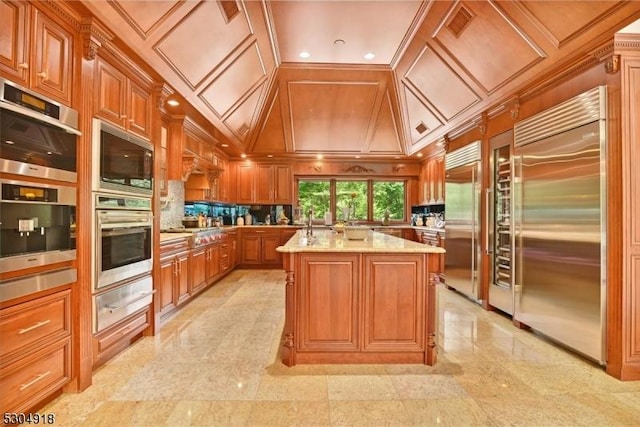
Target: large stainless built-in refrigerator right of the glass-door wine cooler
{"x": 559, "y": 223}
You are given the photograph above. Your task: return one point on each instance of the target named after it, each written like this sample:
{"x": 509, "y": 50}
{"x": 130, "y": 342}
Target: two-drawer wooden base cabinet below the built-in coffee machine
{"x": 35, "y": 351}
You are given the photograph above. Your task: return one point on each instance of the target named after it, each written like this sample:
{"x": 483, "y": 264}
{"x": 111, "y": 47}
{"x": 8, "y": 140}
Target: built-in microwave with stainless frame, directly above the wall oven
{"x": 122, "y": 162}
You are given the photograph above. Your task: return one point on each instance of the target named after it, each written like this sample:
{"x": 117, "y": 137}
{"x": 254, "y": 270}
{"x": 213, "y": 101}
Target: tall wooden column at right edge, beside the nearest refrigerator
{"x": 623, "y": 232}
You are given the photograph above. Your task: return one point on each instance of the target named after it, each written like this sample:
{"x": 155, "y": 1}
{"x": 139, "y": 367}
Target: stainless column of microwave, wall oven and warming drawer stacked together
{"x": 123, "y": 245}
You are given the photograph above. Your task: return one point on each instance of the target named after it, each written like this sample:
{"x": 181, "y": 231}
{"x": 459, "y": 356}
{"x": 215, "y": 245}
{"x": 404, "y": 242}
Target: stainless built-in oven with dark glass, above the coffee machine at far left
{"x": 38, "y": 136}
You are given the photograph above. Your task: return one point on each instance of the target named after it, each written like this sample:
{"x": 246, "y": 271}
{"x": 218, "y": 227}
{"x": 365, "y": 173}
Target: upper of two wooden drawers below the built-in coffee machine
{"x": 43, "y": 319}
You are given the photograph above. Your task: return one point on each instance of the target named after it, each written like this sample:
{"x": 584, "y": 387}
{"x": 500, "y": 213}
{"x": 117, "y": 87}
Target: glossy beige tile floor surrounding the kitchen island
{"x": 215, "y": 362}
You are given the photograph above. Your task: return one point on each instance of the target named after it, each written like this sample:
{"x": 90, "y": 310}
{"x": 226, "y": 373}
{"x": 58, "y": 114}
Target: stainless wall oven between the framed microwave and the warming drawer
{"x": 123, "y": 242}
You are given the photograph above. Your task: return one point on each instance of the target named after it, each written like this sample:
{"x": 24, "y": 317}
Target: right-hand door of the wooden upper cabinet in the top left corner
{"x": 53, "y": 59}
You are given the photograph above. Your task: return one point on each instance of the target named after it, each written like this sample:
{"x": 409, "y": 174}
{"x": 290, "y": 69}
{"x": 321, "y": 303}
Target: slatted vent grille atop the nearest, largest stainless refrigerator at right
{"x": 585, "y": 108}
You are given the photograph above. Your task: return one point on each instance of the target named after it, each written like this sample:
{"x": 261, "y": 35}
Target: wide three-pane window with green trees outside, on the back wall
{"x": 359, "y": 200}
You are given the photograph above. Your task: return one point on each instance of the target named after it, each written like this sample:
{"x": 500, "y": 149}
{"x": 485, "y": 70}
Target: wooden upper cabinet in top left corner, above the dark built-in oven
{"x": 35, "y": 52}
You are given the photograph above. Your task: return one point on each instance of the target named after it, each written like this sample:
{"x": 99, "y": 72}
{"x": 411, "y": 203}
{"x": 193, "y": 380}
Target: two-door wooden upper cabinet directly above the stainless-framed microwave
{"x": 121, "y": 100}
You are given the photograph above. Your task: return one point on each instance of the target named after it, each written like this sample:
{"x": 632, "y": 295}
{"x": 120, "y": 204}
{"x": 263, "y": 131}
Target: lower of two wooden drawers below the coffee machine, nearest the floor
{"x": 31, "y": 379}
